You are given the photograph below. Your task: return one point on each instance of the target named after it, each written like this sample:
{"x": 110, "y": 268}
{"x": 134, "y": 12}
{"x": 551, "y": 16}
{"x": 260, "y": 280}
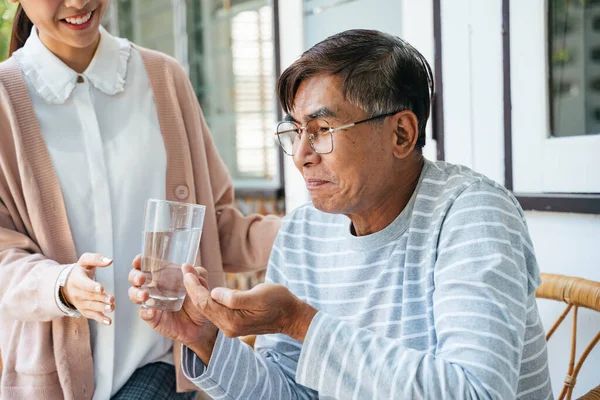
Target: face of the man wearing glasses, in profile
{"x": 352, "y": 178}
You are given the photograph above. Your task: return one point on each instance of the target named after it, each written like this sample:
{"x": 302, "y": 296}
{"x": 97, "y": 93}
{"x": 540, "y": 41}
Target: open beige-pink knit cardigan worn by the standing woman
{"x": 47, "y": 355}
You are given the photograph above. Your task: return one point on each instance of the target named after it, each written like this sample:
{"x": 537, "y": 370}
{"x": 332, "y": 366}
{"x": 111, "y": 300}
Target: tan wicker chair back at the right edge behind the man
{"x": 575, "y": 292}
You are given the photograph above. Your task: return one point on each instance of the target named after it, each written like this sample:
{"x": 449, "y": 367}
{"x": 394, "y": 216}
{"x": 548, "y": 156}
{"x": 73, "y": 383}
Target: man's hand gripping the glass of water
{"x": 187, "y": 325}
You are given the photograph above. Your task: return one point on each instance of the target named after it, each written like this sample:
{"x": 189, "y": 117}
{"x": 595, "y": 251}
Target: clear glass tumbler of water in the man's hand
{"x": 172, "y": 234}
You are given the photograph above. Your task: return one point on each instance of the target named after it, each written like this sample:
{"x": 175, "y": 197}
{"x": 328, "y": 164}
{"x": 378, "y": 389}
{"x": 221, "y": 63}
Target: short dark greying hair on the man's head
{"x": 380, "y": 74}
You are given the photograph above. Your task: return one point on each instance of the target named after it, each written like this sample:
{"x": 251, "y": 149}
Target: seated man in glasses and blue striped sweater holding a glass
{"x": 404, "y": 278}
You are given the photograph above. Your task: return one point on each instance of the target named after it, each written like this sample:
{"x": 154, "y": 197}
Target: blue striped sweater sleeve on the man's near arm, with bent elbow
{"x": 483, "y": 287}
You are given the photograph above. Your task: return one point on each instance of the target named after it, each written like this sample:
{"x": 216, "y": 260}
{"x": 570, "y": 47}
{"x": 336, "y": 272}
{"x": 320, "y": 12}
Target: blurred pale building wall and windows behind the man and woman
{"x": 517, "y": 98}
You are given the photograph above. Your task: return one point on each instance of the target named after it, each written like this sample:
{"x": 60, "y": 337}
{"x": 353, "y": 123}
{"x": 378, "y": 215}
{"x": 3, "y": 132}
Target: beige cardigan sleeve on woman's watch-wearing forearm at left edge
{"x": 27, "y": 278}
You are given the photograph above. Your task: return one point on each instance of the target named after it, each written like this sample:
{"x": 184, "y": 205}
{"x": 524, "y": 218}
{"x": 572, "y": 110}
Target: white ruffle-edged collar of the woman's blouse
{"x": 54, "y": 81}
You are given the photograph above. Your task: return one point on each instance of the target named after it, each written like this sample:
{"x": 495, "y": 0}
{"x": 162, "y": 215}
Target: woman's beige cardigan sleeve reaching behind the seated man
{"x": 245, "y": 241}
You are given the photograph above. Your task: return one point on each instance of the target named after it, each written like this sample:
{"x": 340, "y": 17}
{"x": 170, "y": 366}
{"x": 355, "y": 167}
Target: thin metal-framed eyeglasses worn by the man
{"x": 319, "y": 134}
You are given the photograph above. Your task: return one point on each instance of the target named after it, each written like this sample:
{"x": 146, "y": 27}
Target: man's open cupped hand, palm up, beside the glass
{"x": 266, "y": 308}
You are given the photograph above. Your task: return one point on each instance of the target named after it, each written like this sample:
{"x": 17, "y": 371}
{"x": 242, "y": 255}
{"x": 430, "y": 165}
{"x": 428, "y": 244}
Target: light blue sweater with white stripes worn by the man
{"x": 440, "y": 304}
